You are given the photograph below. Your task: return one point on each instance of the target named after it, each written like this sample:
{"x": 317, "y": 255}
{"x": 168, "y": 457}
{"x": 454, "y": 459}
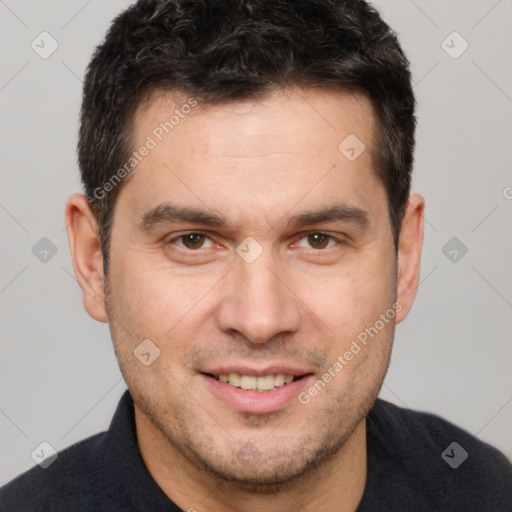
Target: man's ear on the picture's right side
{"x": 409, "y": 255}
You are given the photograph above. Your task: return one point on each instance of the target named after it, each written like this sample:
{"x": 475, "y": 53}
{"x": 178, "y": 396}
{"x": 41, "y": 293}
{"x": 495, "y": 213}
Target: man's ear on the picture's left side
{"x": 86, "y": 253}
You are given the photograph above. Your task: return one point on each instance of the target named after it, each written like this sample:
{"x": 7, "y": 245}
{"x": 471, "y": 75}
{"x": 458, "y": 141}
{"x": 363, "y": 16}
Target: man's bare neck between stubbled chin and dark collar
{"x": 337, "y": 484}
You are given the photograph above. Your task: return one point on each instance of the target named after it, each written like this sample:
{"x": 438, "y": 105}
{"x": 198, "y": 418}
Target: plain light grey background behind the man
{"x": 59, "y": 379}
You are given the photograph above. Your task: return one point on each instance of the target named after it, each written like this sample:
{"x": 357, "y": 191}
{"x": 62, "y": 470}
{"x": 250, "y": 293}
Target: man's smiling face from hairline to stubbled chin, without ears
{"x": 249, "y": 249}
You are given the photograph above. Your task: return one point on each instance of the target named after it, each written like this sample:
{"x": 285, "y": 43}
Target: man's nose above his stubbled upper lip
{"x": 257, "y": 302}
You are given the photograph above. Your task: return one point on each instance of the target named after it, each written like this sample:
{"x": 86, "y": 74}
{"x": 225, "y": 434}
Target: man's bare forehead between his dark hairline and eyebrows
{"x": 293, "y": 146}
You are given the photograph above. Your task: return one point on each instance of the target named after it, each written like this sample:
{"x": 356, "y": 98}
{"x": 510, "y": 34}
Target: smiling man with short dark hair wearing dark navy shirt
{"x": 248, "y": 234}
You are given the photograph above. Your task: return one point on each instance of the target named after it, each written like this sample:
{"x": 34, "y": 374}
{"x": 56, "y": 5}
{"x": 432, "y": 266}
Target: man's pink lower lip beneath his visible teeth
{"x": 256, "y": 402}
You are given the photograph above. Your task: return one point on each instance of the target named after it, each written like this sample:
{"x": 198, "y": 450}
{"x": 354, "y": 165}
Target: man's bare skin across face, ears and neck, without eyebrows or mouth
{"x": 255, "y": 163}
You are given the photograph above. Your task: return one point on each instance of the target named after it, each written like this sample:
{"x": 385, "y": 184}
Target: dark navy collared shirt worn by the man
{"x": 416, "y": 462}
